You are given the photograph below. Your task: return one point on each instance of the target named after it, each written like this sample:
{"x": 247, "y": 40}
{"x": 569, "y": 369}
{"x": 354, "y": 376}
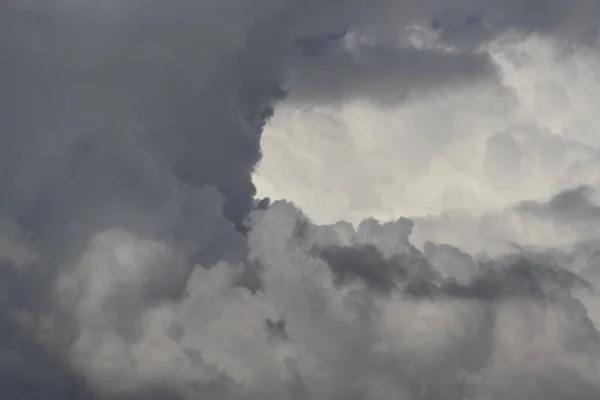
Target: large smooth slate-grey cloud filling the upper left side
{"x": 118, "y": 115}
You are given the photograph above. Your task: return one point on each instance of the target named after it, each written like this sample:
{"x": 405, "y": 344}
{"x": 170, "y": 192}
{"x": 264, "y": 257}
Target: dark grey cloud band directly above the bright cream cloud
{"x": 328, "y": 71}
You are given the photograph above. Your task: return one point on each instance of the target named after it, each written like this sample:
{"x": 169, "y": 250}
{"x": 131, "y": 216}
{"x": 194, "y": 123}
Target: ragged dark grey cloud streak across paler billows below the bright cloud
{"x": 528, "y": 276}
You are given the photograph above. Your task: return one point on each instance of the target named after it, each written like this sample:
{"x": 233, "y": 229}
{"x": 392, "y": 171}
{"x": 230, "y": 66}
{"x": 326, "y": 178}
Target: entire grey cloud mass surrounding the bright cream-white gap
{"x": 137, "y": 263}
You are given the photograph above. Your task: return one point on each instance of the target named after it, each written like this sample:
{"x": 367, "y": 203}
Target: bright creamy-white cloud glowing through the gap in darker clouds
{"x": 481, "y": 147}
